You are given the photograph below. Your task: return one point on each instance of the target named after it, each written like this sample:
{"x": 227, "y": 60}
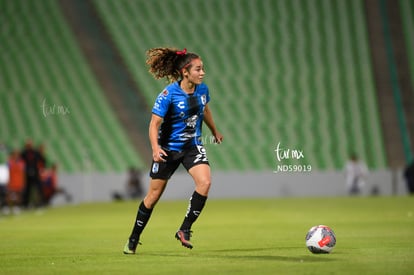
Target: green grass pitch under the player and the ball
{"x": 375, "y": 235}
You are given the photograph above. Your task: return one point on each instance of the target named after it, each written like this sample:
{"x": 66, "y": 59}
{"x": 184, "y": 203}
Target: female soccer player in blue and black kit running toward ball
{"x": 175, "y": 136}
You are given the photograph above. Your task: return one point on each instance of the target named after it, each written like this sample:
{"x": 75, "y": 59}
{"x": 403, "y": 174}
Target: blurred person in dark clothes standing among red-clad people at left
{"x": 34, "y": 163}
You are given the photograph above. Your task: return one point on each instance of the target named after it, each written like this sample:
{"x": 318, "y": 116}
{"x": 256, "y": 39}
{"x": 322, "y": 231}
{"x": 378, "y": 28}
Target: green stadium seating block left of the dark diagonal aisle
{"x": 42, "y": 66}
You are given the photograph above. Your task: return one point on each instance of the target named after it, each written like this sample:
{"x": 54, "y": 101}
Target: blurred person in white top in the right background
{"x": 355, "y": 173}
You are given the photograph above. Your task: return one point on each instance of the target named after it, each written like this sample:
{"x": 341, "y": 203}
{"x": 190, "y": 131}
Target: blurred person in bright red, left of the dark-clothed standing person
{"x": 16, "y": 182}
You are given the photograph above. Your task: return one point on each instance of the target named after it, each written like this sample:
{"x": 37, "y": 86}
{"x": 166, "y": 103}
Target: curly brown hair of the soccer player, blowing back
{"x": 169, "y": 62}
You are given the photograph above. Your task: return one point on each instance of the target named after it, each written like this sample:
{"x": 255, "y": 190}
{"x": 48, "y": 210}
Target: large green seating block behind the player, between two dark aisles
{"x": 288, "y": 71}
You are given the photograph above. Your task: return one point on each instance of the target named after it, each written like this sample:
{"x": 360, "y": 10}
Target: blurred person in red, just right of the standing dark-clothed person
{"x": 50, "y": 186}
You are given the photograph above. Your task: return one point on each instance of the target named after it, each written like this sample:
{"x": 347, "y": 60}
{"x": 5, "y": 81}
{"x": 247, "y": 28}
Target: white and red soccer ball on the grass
{"x": 320, "y": 239}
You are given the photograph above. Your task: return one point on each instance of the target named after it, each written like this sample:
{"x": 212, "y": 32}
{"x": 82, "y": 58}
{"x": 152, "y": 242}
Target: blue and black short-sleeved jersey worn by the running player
{"x": 183, "y": 116}
